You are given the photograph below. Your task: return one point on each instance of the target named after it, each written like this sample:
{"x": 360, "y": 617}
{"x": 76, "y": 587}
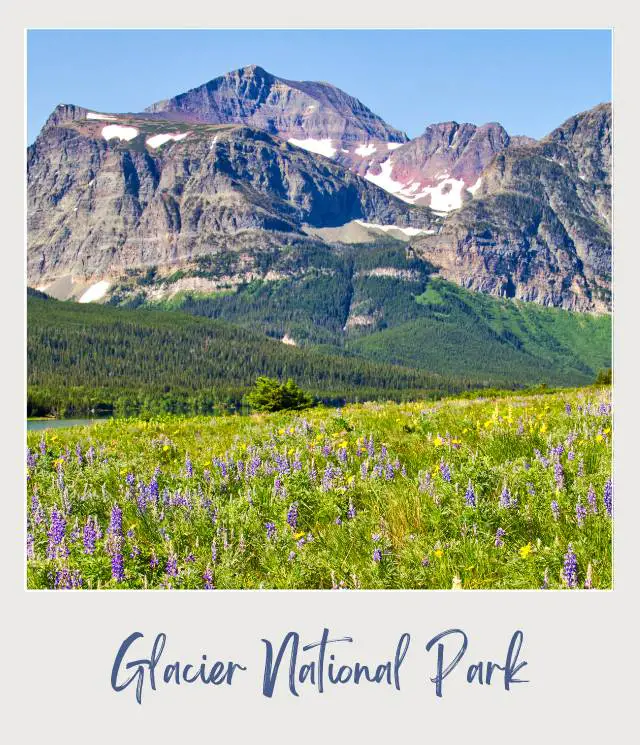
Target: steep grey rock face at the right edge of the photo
{"x": 538, "y": 227}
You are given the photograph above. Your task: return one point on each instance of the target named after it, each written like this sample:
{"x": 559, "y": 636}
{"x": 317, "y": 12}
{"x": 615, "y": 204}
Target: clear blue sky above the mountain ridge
{"x": 529, "y": 81}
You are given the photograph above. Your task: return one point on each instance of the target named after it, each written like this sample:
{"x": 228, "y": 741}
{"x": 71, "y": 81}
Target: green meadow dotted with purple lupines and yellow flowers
{"x": 370, "y": 496}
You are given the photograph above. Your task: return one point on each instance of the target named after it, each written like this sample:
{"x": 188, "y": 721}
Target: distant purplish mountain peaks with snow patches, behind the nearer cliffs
{"x": 434, "y": 169}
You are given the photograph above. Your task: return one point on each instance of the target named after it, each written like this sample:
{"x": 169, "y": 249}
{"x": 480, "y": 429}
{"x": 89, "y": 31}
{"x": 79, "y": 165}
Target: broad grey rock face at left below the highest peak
{"x": 111, "y": 192}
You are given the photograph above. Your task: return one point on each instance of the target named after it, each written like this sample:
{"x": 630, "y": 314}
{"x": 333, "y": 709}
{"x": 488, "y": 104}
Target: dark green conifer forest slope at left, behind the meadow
{"x": 84, "y": 358}
